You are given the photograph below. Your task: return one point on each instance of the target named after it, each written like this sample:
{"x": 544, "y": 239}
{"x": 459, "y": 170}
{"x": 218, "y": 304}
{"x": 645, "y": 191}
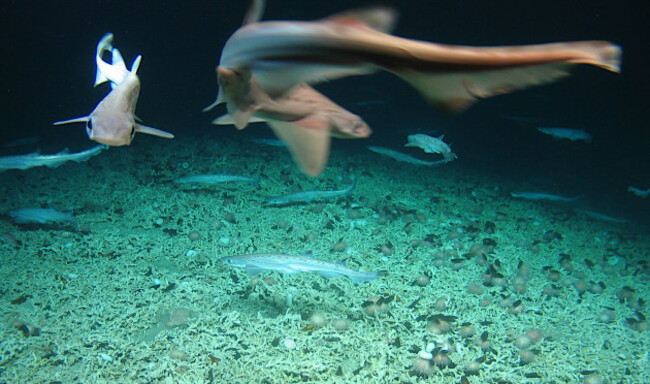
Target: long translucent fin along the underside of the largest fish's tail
{"x": 455, "y": 92}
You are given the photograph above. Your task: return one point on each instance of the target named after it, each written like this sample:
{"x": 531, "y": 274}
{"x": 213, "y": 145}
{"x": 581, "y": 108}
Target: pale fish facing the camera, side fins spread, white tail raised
{"x": 112, "y": 122}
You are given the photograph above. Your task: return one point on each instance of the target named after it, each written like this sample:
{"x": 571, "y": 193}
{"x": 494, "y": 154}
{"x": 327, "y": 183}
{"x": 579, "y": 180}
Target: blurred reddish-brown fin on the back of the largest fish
{"x": 379, "y": 18}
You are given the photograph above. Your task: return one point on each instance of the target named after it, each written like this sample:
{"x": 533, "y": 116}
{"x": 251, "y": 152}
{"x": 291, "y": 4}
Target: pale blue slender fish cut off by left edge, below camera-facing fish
{"x": 35, "y": 159}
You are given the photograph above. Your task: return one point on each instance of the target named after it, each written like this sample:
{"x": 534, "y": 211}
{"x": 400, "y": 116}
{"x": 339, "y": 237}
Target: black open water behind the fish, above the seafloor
{"x": 47, "y": 70}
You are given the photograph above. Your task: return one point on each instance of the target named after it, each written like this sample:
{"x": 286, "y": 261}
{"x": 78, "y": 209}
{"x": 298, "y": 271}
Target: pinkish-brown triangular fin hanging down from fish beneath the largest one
{"x": 308, "y": 140}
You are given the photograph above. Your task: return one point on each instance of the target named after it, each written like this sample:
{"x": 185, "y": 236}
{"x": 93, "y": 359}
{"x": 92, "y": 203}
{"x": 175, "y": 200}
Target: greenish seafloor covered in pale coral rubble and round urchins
{"x": 137, "y": 293}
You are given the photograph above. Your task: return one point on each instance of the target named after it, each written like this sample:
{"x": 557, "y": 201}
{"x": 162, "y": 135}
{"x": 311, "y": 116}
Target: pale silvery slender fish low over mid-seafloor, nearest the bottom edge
{"x": 256, "y": 263}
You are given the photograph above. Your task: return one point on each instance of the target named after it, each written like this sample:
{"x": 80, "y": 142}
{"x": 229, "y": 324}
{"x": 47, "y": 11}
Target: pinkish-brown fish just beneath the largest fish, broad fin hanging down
{"x": 302, "y": 117}
